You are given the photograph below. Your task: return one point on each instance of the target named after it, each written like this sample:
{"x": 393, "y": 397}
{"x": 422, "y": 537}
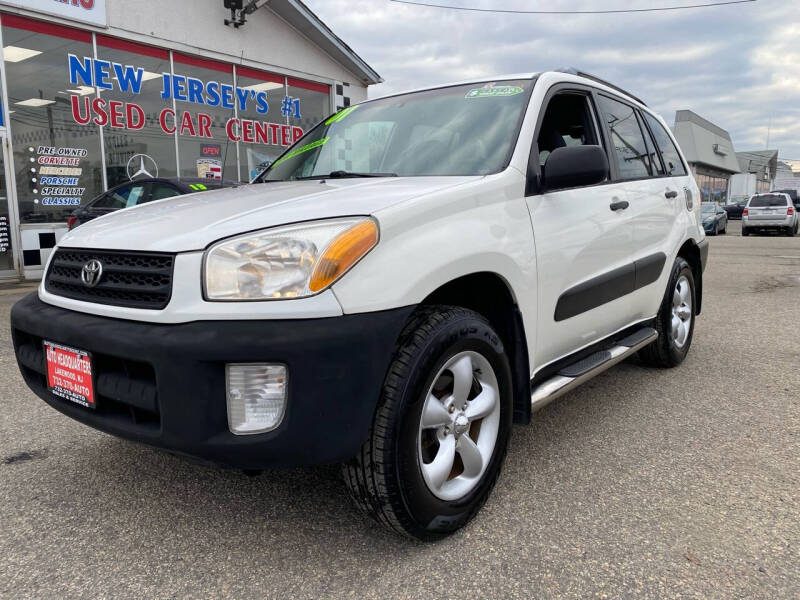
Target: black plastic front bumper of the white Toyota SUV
{"x": 164, "y": 385}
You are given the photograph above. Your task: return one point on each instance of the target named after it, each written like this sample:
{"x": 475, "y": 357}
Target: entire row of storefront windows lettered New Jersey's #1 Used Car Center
{"x": 76, "y": 108}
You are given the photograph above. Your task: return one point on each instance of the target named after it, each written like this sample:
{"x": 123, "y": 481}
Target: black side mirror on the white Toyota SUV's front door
{"x": 574, "y": 166}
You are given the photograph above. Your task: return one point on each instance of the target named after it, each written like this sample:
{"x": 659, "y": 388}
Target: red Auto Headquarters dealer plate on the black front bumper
{"x": 69, "y": 374}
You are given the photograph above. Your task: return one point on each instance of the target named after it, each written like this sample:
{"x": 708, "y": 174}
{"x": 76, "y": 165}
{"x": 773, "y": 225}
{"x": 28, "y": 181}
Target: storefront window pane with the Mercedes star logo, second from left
{"x": 141, "y": 110}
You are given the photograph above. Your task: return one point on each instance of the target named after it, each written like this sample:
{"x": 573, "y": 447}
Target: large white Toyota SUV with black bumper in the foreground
{"x": 412, "y": 277}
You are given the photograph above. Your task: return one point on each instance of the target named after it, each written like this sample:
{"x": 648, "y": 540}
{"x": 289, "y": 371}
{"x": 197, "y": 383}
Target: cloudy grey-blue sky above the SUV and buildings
{"x": 738, "y": 65}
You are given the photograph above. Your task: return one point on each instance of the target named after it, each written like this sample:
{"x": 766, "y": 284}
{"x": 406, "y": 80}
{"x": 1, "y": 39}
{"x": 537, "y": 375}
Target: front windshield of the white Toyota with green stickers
{"x": 461, "y": 130}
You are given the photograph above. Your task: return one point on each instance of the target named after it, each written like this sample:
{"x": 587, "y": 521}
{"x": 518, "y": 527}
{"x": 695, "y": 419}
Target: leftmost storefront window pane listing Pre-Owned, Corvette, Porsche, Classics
{"x": 57, "y": 161}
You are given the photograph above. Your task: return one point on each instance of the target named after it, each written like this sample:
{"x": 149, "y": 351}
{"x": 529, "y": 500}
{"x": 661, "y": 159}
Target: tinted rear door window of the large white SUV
{"x": 626, "y": 138}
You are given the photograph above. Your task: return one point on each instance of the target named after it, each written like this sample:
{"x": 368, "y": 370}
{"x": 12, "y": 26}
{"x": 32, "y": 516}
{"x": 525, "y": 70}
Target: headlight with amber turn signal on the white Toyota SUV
{"x": 287, "y": 262}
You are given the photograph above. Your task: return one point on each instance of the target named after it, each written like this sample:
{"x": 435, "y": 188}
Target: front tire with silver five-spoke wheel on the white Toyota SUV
{"x": 441, "y": 429}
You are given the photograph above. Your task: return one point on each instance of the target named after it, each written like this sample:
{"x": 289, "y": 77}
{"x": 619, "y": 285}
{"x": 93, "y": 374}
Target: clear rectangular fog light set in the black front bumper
{"x": 256, "y": 396}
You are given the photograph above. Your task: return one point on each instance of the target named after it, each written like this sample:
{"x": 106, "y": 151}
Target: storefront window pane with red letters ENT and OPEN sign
{"x": 254, "y": 154}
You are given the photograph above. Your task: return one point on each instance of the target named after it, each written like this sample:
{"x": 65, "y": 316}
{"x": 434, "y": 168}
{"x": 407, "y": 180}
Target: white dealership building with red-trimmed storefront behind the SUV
{"x": 97, "y": 92}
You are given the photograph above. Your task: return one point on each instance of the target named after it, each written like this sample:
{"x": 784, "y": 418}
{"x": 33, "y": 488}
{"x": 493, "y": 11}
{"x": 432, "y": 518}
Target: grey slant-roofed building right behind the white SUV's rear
{"x": 709, "y": 151}
